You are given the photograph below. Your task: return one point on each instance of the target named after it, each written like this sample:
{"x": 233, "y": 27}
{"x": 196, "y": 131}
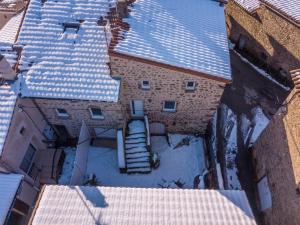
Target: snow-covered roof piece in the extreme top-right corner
{"x": 289, "y": 7}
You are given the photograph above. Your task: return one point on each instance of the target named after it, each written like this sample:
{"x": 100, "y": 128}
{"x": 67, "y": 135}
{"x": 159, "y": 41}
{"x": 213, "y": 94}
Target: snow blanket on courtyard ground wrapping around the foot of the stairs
{"x": 181, "y": 164}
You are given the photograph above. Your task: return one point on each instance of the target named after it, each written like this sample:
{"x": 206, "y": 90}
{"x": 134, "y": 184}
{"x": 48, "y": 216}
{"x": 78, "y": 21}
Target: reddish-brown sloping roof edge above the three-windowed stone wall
{"x": 170, "y": 67}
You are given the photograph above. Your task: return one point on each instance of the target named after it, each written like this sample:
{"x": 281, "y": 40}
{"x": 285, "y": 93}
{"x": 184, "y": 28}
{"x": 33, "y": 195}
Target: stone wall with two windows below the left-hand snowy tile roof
{"x": 79, "y": 111}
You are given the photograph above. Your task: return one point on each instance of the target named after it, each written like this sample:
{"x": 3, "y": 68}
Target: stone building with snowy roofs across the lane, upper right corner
{"x": 268, "y": 32}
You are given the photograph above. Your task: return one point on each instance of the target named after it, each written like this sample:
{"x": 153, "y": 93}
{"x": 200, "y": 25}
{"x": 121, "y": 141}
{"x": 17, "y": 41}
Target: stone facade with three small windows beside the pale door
{"x": 194, "y": 108}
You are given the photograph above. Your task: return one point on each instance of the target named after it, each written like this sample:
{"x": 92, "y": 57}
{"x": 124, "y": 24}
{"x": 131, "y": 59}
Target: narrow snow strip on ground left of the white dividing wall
{"x": 66, "y": 173}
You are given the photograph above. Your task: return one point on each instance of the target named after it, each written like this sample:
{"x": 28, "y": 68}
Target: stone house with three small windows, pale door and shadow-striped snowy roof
{"x": 173, "y": 67}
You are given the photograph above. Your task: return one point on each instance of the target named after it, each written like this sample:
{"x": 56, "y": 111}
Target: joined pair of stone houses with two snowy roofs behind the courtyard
{"x": 77, "y": 69}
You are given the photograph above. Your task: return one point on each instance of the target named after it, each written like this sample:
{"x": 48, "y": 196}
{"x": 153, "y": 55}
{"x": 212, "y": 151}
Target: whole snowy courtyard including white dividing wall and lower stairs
{"x": 180, "y": 162}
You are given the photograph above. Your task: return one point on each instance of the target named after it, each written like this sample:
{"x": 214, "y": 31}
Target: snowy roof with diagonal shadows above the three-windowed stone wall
{"x": 186, "y": 35}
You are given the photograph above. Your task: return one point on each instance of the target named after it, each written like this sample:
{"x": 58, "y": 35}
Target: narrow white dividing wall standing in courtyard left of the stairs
{"x": 78, "y": 173}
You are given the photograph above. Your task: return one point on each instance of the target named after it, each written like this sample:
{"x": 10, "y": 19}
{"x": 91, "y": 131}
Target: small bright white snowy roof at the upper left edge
{"x": 8, "y": 35}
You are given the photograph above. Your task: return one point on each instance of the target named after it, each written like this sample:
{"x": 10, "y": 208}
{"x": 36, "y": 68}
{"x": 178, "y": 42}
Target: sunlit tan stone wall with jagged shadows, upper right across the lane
{"x": 273, "y": 40}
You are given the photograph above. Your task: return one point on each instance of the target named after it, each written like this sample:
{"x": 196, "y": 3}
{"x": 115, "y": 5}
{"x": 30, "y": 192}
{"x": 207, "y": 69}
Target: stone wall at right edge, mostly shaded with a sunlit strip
{"x": 277, "y": 154}
